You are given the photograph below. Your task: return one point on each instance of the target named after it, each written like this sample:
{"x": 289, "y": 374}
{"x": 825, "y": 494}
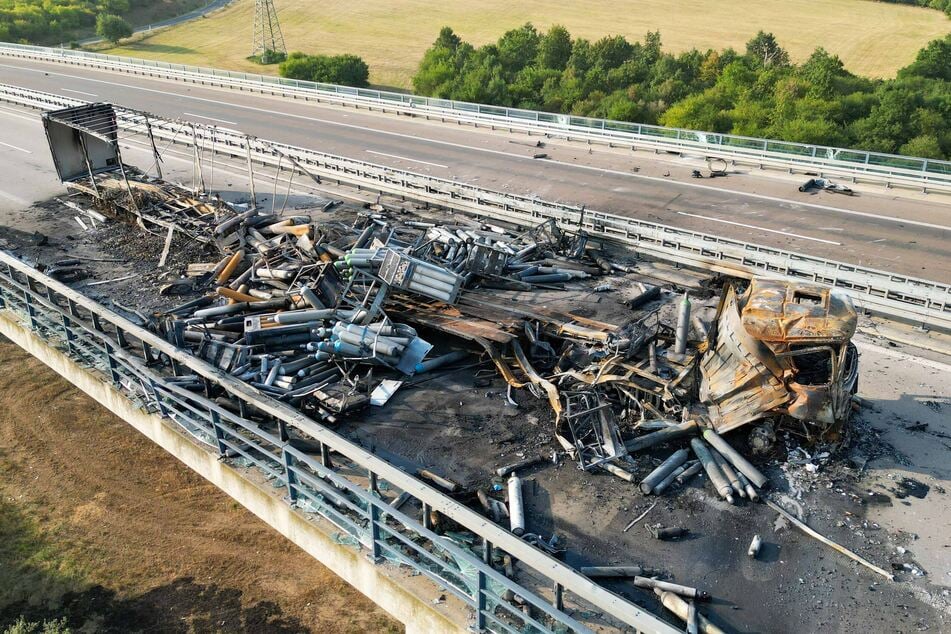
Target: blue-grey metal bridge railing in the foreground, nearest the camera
{"x": 150, "y": 372}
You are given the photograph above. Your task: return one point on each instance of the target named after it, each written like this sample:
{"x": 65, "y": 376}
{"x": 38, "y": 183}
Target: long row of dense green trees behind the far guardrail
{"x": 754, "y": 92}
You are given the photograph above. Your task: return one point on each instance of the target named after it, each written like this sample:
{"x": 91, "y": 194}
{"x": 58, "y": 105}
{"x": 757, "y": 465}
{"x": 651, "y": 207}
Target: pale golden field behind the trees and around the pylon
{"x": 873, "y": 38}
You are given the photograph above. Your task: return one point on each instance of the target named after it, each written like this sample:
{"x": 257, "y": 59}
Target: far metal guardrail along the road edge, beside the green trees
{"x": 890, "y": 169}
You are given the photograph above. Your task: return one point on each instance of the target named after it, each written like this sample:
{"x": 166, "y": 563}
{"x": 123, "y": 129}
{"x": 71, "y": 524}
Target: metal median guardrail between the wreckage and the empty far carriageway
{"x": 913, "y": 300}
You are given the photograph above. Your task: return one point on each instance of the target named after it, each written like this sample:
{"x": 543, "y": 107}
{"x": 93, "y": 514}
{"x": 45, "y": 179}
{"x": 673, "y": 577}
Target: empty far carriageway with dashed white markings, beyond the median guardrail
{"x": 897, "y": 233}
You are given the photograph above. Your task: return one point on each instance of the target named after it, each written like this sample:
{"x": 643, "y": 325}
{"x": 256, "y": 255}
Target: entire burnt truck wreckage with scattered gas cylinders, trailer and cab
{"x": 338, "y": 314}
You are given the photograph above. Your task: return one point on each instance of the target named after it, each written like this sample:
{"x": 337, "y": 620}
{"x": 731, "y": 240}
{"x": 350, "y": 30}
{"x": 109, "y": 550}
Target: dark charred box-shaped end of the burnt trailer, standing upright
{"x": 83, "y": 140}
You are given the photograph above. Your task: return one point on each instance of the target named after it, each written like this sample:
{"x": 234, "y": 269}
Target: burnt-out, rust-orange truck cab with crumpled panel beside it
{"x": 781, "y": 349}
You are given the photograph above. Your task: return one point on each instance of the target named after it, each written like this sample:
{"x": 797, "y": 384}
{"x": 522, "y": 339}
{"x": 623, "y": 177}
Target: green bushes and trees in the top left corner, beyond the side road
{"x": 59, "y": 21}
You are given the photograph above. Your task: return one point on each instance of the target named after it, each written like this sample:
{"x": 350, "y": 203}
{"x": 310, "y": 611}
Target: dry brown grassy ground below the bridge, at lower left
{"x": 102, "y": 527}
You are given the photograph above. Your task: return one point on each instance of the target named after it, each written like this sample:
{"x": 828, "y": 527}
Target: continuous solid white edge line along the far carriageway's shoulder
{"x": 602, "y": 170}
